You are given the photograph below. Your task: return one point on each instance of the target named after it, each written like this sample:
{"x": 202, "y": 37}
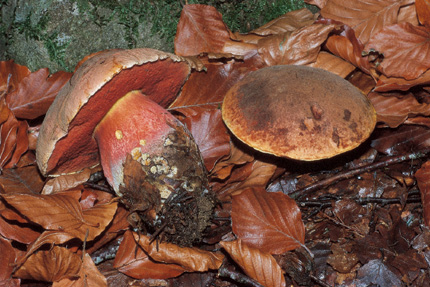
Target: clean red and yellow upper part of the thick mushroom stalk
{"x": 135, "y": 121}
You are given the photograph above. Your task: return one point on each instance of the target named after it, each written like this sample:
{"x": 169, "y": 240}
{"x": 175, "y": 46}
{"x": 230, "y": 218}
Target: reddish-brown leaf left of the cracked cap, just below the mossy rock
{"x": 35, "y": 93}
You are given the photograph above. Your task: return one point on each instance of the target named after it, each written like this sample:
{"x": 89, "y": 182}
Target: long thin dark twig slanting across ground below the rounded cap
{"x": 298, "y": 194}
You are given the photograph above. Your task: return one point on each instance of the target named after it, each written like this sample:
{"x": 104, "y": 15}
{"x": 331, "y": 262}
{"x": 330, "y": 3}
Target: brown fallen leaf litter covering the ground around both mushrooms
{"x": 360, "y": 219}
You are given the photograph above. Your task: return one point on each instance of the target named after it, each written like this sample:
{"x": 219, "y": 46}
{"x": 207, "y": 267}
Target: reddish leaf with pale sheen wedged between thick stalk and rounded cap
{"x": 206, "y": 125}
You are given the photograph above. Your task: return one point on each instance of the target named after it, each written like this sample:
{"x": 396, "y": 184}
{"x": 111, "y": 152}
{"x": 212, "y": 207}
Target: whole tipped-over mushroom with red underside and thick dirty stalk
{"x": 112, "y": 111}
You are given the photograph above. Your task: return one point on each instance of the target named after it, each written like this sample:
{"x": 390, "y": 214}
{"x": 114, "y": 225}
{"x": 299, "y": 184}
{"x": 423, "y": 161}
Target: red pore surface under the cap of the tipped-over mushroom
{"x": 160, "y": 80}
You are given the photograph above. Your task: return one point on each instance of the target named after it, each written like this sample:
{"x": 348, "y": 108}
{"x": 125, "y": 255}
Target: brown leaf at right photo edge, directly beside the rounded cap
{"x": 394, "y": 110}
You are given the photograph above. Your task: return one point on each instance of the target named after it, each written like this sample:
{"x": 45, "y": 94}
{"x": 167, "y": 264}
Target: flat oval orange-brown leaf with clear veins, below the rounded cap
{"x": 268, "y": 221}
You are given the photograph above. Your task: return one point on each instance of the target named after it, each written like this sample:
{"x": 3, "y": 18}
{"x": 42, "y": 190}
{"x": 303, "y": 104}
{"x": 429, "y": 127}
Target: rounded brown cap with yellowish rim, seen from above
{"x": 298, "y": 112}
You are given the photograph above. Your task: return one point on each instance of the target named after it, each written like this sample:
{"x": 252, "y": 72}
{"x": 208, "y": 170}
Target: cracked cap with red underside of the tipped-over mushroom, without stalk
{"x": 66, "y": 143}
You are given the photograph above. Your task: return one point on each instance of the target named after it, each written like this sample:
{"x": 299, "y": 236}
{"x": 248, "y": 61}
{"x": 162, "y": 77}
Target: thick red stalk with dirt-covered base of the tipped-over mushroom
{"x": 151, "y": 161}
